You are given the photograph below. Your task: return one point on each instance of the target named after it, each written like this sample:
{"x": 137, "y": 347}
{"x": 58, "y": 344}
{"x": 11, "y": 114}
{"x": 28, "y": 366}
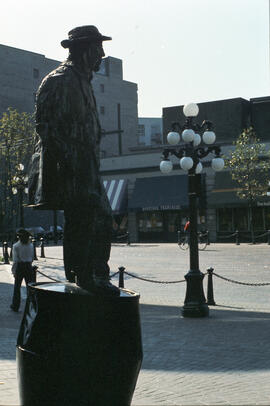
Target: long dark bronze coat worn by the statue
{"x": 65, "y": 166}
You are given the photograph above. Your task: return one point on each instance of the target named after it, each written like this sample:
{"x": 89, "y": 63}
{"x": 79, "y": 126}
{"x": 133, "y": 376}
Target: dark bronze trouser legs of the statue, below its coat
{"x": 87, "y": 242}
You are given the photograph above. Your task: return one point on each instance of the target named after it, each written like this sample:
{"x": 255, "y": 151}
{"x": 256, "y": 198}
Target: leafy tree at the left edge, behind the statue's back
{"x": 16, "y": 146}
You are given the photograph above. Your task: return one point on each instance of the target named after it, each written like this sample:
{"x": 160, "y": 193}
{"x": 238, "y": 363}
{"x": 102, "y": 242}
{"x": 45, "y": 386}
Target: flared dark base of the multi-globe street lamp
{"x": 195, "y": 303}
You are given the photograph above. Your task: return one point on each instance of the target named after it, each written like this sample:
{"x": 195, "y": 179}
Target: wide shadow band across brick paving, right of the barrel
{"x": 229, "y": 340}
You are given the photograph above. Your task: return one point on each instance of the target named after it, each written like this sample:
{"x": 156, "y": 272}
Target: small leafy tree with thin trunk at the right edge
{"x": 249, "y": 164}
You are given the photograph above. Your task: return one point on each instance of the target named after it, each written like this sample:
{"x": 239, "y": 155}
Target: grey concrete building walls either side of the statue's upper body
{"x": 21, "y": 73}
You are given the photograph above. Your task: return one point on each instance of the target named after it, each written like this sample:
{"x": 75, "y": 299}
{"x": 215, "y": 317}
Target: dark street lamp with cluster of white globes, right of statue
{"x": 190, "y": 154}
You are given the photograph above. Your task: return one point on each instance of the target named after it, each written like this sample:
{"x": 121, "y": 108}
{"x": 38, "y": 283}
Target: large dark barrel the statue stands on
{"x": 77, "y": 348}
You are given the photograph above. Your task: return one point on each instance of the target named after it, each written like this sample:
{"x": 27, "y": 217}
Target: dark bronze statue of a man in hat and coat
{"x": 64, "y": 172}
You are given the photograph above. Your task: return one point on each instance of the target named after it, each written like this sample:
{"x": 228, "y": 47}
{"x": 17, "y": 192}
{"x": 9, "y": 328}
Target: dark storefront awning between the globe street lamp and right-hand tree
{"x": 224, "y": 193}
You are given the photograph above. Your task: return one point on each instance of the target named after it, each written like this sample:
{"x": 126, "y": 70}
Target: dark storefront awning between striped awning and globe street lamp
{"x": 160, "y": 193}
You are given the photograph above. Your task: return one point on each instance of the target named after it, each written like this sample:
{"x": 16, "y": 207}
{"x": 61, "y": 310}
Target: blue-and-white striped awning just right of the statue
{"x": 116, "y": 190}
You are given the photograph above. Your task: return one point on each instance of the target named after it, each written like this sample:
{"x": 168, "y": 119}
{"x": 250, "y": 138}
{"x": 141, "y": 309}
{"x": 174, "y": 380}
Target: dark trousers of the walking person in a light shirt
{"x": 24, "y": 271}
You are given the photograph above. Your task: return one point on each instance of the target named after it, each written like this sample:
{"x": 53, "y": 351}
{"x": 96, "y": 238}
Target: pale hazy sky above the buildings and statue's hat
{"x": 177, "y": 51}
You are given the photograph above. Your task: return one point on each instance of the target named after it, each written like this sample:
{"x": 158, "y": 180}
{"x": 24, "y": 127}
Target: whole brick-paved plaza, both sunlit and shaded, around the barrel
{"x": 220, "y": 360}
